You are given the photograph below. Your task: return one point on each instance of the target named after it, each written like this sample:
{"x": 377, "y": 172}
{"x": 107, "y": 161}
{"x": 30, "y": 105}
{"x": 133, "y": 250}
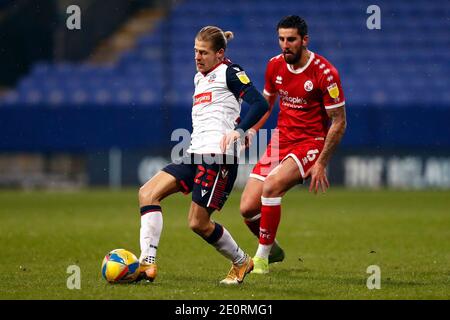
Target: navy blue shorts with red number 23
{"x": 209, "y": 180}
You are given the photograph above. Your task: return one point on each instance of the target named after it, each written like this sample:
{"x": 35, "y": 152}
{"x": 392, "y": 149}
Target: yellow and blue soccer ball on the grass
{"x": 120, "y": 266}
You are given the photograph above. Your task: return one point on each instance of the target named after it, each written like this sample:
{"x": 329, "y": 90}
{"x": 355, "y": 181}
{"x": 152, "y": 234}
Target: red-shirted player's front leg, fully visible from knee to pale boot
{"x": 276, "y": 184}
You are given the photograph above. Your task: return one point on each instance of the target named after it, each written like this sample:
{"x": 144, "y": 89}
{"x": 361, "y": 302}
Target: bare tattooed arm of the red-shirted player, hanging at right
{"x": 332, "y": 140}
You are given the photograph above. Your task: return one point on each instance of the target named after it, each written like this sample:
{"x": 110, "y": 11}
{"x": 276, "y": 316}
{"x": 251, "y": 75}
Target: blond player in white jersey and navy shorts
{"x": 220, "y": 87}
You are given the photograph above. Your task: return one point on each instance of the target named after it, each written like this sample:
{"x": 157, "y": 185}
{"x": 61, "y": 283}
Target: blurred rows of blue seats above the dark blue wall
{"x": 405, "y": 61}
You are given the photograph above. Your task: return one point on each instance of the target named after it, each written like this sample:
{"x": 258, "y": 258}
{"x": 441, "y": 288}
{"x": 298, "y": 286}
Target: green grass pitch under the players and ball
{"x": 329, "y": 240}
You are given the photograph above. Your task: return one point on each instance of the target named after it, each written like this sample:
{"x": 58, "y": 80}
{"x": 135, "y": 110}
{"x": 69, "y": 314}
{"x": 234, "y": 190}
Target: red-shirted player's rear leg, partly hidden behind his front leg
{"x": 250, "y": 208}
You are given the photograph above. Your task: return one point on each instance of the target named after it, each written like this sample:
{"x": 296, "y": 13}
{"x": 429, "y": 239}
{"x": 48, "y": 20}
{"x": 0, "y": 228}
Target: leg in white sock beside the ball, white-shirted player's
{"x": 151, "y": 193}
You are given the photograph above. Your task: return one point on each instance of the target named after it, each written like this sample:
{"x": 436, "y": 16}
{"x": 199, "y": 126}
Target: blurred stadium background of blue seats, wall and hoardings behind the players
{"x": 96, "y": 106}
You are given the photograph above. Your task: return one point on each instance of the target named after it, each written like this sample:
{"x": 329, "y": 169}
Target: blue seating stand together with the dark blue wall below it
{"x": 403, "y": 66}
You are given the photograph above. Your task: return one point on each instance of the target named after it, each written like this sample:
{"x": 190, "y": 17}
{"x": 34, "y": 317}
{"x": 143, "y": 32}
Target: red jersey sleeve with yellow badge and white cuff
{"x": 332, "y": 93}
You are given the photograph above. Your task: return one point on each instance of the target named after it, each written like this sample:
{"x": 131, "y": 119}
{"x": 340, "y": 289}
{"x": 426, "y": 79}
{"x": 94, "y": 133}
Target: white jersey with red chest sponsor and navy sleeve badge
{"x": 216, "y": 107}
